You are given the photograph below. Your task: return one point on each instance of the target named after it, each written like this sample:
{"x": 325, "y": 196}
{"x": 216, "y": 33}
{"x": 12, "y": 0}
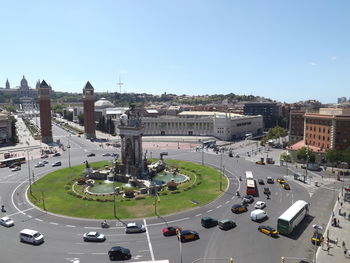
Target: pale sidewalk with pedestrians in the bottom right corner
{"x": 336, "y": 236}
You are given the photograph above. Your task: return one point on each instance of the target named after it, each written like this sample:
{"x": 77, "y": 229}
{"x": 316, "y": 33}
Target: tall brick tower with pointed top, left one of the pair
{"x": 45, "y": 112}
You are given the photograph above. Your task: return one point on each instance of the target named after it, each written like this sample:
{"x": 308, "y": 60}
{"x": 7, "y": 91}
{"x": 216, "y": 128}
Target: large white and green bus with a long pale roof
{"x": 291, "y": 218}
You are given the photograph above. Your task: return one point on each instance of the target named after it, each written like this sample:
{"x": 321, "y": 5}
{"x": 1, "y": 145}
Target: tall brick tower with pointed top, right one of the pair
{"x": 89, "y": 111}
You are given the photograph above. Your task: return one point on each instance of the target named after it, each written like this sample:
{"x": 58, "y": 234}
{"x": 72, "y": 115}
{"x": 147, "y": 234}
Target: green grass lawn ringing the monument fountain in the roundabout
{"x": 202, "y": 188}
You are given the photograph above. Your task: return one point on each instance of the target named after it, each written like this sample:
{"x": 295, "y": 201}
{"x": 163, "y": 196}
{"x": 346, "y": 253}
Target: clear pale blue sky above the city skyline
{"x": 285, "y": 50}
